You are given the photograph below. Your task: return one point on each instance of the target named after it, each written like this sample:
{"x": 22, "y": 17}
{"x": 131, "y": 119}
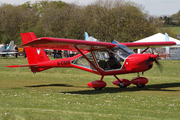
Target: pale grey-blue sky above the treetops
{"x": 154, "y": 7}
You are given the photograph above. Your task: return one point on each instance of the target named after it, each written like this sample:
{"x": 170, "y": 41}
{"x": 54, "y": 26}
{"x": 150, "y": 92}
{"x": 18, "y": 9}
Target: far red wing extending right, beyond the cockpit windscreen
{"x": 136, "y": 45}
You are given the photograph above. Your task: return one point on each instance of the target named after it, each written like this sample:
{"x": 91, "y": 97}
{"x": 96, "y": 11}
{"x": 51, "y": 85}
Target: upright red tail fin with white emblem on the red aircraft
{"x": 34, "y": 55}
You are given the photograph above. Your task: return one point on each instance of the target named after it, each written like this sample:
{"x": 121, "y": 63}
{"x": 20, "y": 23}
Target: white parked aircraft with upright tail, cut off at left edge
{"x": 9, "y": 51}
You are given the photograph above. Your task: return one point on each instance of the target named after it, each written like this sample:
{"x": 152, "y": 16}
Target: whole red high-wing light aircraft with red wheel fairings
{"x": 101, "y": 58}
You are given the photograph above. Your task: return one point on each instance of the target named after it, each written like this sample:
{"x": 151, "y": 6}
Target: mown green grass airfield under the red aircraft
{"x": 62, "y": 94}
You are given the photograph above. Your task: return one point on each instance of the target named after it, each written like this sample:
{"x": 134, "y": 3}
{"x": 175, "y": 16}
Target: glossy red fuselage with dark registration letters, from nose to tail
{"x": 132, "y": 64}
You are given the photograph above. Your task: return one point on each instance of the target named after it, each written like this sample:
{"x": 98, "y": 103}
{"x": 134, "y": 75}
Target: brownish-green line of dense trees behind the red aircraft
{"x": 104, "y": 19}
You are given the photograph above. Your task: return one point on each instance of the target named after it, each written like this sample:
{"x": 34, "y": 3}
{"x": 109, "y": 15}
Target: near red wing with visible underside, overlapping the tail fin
{"x": 67, "y": 44}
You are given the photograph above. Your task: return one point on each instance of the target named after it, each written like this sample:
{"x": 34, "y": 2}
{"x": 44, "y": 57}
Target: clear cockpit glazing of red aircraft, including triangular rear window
{"x": 106, "y": 59}
